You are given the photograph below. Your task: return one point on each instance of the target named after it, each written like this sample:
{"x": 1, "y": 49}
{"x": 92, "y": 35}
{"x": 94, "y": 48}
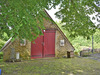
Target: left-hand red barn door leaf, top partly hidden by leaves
{"x": 37, "y": 48}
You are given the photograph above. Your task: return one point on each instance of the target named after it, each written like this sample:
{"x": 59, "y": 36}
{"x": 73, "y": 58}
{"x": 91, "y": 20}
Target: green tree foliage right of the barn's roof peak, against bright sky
{"x": 75, "y": 16}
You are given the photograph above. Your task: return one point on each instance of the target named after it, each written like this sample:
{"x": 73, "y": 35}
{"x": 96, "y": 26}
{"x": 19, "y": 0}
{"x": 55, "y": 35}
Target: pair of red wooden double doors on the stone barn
{"x": 44, "y": 45}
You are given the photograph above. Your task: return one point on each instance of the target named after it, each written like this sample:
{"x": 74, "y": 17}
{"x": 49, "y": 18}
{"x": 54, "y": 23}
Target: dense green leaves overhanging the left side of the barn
{"x": 24, "y": 17}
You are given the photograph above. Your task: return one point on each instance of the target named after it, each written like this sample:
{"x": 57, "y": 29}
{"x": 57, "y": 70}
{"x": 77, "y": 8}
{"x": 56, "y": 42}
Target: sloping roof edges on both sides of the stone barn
{"x": 9, "y": 41}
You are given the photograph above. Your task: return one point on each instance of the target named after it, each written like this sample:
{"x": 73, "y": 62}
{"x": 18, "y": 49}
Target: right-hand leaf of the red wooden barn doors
{"x": 49, "y": 43}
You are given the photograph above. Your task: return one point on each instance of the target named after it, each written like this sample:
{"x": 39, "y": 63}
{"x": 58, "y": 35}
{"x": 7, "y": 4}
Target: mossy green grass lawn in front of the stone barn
{"x": 63, "y": 66}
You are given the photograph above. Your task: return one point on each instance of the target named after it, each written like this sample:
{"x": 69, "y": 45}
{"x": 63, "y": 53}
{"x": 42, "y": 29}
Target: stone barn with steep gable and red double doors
{"x": 52, "y": 44}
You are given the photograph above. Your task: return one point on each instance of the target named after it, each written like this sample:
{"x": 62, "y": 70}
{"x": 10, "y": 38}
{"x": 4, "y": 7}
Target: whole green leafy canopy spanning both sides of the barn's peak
{"x": 24, "y": 18}
